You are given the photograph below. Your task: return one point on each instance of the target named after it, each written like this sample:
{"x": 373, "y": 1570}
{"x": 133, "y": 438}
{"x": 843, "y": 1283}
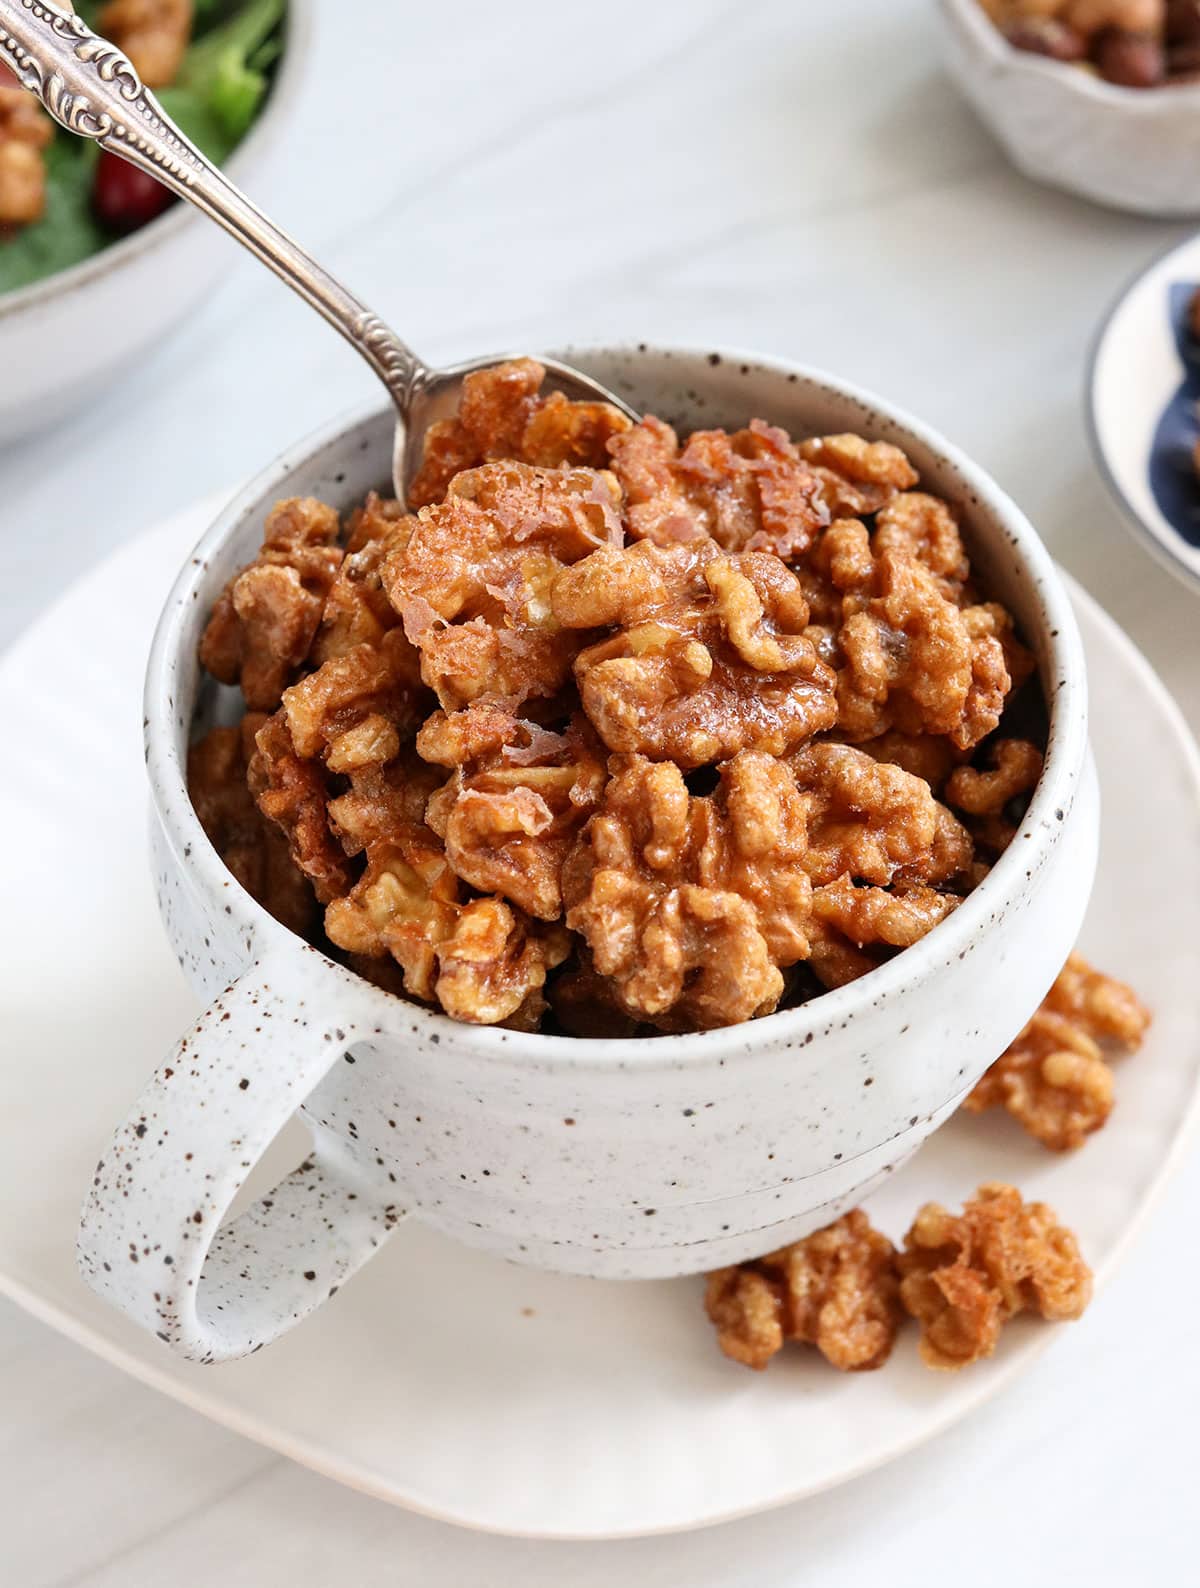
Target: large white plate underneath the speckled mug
{"x": 440, "y": 1379}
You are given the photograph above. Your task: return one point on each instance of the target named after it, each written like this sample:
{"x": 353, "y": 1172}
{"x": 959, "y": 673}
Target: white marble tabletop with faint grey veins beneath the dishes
{"x": 793, "y": 179}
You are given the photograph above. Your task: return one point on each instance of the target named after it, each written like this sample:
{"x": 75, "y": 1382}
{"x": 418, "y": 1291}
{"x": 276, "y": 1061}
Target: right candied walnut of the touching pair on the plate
{"x": 964, "y": 1278}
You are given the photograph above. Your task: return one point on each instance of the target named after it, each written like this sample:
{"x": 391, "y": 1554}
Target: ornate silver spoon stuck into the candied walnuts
{"x": 94, "y": 91}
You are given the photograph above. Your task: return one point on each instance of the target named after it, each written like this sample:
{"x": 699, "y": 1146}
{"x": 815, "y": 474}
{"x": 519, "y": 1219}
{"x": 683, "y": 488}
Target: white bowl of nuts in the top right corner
{"x": 1129, "y": 148}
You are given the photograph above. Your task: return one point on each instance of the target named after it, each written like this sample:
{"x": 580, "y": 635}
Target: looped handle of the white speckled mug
{"x": 155, "y": 1239}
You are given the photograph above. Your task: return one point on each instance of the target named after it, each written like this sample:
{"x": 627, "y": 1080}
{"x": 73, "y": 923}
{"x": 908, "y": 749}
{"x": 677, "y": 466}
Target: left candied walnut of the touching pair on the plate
{"x": 837, "y": 1290}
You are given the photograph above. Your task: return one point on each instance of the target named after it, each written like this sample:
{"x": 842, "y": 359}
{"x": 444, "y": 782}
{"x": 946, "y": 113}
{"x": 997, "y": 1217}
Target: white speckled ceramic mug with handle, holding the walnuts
{"x": 607, "y": 1158}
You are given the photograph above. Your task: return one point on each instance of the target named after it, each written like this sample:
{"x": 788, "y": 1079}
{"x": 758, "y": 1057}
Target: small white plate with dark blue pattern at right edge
{"x": 1144, "y": 409}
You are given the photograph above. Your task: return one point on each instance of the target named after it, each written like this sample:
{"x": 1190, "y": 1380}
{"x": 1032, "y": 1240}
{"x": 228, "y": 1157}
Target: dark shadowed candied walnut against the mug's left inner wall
{"x": 247, "y": 842}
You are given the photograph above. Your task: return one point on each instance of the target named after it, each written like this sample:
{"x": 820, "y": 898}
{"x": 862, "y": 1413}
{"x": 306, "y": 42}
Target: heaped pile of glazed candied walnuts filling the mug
{"x": 612, "y": 734}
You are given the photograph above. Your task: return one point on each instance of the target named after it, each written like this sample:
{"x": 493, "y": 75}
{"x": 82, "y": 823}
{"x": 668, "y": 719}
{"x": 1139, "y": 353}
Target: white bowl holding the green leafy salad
{"x": 63, "y": 341}
